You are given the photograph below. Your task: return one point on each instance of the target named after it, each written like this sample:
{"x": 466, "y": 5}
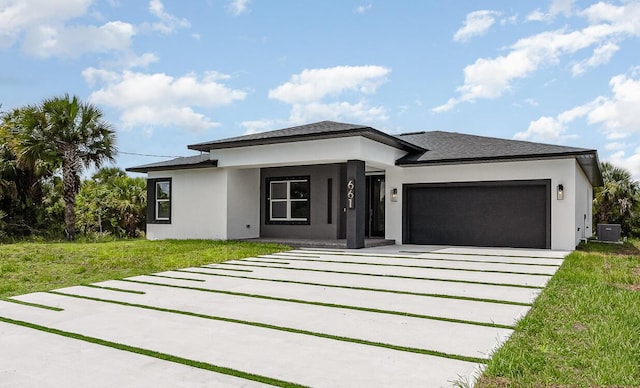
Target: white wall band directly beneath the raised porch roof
{"x": 310, "y": 152}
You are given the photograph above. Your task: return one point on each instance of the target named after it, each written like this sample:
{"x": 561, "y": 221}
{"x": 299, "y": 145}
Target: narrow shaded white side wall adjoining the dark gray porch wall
{"x": 243, "y": 206}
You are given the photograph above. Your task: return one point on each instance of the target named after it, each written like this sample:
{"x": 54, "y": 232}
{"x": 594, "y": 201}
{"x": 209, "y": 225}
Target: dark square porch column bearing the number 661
{"x": 356, "y": 198}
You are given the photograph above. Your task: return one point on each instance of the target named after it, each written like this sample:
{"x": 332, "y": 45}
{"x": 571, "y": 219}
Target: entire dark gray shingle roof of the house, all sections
{"x": 434, "y": 147}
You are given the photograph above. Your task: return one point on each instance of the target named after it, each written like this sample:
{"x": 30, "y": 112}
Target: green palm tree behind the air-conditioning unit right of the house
{"x": 616, "y": 201}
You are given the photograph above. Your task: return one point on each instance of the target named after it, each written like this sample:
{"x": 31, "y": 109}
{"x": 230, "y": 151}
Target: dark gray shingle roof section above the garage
{"x": 452, "y": 148}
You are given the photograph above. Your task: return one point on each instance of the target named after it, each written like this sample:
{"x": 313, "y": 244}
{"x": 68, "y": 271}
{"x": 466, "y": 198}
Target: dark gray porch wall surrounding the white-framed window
{"x": 319, "y": 227}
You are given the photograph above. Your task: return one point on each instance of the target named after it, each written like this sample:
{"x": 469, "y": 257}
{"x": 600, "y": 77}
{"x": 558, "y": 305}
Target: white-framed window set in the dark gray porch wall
{"x": 288, "y": 200}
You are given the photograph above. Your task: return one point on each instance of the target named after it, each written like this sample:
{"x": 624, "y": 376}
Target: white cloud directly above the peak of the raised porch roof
{"x": 335, "y": 93}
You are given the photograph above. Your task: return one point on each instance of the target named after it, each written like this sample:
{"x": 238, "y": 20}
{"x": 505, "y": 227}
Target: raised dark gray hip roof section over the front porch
{"x": 314, "y": 131}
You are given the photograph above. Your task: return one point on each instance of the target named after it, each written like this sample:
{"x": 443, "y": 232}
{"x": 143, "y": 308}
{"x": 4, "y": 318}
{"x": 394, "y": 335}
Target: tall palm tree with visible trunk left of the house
{"x": 70, "y": 134}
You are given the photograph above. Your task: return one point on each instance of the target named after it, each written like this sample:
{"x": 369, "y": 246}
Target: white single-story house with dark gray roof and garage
{"x": 331, "y": 180}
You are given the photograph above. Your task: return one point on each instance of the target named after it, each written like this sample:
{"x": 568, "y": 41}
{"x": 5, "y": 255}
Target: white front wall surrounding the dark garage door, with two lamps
{"x": 560, "y": 171}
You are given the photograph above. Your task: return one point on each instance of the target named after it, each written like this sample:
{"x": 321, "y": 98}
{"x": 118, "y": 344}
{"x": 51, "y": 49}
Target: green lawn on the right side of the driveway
{"x": 583, "y": 330}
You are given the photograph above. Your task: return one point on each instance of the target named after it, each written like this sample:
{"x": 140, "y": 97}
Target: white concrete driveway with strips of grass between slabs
{"x": 379, "y": 317}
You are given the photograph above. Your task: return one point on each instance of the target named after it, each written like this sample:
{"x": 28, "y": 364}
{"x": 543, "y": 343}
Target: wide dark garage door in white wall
{"x": 491, "y": 214}
